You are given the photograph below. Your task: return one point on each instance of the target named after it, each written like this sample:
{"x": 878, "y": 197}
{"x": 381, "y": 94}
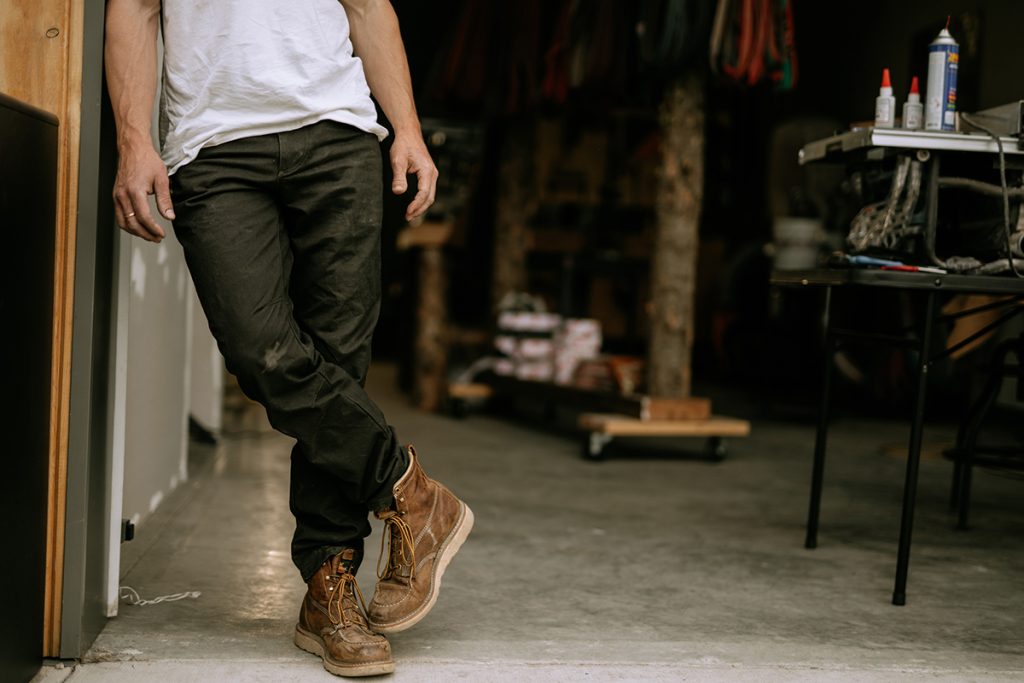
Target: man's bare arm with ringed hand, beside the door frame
{"x": 131, "y": 54}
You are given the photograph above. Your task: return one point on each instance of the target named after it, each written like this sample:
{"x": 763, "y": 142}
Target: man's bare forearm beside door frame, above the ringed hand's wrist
{"x": 132, "y": 67}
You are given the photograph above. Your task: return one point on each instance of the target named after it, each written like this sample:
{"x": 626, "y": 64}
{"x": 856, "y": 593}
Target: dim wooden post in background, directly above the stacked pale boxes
{"x": 516, "y": 197}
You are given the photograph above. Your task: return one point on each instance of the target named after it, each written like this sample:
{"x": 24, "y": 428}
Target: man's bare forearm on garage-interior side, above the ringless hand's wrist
{"x": 377, "y": 42}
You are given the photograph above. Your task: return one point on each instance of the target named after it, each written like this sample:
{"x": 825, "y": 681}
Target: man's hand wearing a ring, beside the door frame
{"x": 141, "y": 174}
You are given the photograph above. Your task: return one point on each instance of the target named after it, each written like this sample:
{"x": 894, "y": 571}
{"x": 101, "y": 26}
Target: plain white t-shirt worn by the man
{"x": 236, "y": 69}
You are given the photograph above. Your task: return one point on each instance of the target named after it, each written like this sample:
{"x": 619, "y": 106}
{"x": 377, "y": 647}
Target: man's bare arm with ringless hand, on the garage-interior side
{"x": 377, "y": 41}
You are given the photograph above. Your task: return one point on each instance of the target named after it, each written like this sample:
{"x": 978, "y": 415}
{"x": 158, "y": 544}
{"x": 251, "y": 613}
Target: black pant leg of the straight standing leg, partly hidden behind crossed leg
{"x": 331, "y": 192}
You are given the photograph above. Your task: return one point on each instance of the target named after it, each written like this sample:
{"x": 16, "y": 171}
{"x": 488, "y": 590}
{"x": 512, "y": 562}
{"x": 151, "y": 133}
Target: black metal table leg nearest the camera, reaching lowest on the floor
{"x": 914, "y": 456}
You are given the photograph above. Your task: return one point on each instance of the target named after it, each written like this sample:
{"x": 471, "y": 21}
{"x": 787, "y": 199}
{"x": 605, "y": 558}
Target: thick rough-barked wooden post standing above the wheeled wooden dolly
{"x": 674, "y": 262}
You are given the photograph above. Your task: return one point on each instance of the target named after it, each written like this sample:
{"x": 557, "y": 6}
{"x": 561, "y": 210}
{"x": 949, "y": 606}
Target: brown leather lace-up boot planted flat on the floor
{"x": 332, "y": 623}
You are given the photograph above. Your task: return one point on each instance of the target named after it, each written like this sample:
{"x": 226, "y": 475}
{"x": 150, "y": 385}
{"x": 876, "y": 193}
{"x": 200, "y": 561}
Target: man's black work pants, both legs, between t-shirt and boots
{"x": 282, "y": 236}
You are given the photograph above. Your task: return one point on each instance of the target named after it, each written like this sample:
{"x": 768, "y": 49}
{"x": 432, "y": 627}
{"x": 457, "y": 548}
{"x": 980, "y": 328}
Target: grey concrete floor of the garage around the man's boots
{"x": 645, "y": 568}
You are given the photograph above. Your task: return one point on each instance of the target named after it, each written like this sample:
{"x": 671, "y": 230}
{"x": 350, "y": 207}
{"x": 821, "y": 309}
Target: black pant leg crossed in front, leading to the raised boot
{"x": 231, "y": 224}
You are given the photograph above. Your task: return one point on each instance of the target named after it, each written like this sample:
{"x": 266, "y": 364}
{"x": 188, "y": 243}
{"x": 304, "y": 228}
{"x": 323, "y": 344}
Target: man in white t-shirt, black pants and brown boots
{"x": 271, "y": 154}
